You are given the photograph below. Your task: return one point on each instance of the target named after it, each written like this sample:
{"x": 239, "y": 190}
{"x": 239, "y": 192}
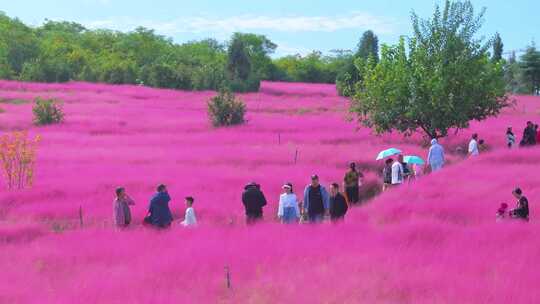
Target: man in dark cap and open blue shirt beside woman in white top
{"x": 316, "y": 200}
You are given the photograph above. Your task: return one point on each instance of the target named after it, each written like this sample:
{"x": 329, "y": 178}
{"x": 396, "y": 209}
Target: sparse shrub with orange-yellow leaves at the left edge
{"x": 17, "y": 156}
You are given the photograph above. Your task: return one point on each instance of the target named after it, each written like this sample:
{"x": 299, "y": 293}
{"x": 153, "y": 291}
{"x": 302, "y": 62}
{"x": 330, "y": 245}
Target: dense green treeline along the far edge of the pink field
{"x": 64, "y": 51}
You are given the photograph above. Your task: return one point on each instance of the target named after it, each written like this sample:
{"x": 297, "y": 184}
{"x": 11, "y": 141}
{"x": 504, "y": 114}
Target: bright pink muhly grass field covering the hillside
{"x": 434, "y": 240}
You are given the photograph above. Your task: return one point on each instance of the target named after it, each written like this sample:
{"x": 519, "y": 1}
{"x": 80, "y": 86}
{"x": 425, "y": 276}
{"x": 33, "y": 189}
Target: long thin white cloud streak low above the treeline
{"x": 292, "y": 23}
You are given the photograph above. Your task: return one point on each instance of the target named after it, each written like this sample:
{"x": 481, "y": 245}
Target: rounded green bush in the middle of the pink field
{"x": 225, "y": 110}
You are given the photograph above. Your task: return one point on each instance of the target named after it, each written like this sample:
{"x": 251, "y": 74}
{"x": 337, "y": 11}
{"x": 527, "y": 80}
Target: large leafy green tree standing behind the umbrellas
{"x": 443, "y": 80}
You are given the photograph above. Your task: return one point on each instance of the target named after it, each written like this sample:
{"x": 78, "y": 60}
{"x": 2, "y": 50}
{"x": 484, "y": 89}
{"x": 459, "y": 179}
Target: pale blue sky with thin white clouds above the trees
{"x": 296, "y": 26}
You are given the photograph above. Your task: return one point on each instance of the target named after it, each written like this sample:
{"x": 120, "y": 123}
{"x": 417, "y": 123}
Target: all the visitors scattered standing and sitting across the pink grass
{"x": 317, "y": 203}
